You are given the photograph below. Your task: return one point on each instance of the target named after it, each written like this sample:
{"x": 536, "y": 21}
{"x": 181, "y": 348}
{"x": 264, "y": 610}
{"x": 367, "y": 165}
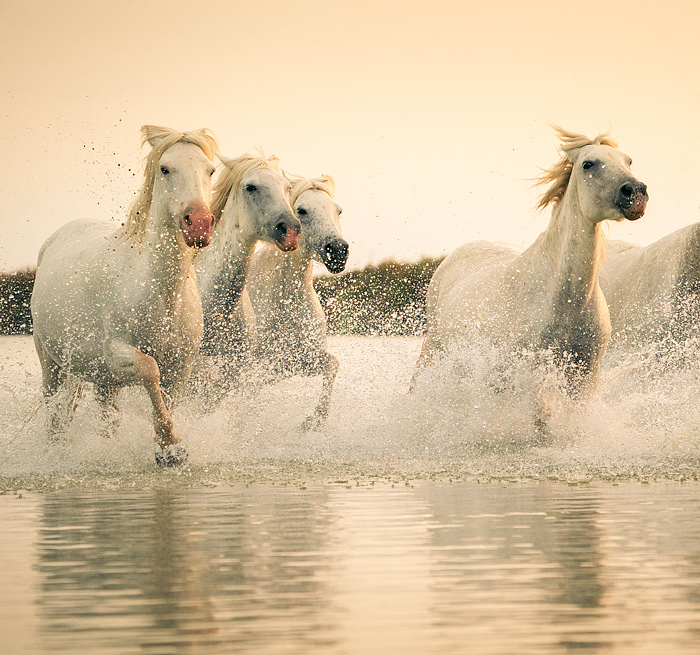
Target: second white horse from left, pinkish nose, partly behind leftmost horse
{"x": 251, "y": 204}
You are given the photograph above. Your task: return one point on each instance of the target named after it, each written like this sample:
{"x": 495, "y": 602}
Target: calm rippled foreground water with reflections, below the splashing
{"x": 526, "y": 568}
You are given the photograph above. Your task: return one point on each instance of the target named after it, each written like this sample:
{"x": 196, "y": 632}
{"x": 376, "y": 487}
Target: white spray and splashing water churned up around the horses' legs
{"x": 460, "y": 424}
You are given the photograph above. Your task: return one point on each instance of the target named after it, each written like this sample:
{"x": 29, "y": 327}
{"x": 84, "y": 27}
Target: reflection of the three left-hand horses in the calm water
{"x": 168, "y": 569}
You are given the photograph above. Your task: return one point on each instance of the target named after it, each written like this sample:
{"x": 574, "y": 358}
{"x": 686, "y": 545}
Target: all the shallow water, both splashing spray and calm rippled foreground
{"x": 427, "y": 523}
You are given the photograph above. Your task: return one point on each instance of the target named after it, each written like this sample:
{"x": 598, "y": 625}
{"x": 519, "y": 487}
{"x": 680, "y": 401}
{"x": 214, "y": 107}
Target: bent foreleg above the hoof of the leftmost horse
{"x": 129, "y": 365}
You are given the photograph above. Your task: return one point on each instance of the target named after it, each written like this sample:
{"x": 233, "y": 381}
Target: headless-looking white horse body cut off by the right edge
{"x": 654, "y": 291}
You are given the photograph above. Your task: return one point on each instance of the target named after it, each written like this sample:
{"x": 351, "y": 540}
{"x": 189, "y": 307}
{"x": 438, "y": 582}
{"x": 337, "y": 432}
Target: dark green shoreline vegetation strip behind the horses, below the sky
{"x": 386, "y": 299}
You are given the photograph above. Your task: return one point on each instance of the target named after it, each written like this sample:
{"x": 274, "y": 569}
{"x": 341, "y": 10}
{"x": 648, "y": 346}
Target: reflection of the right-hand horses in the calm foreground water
{"x": 547, "y": 568}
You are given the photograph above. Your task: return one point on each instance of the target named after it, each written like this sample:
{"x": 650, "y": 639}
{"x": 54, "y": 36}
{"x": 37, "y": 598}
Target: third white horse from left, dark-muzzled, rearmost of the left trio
{"x": 290, "y": 321}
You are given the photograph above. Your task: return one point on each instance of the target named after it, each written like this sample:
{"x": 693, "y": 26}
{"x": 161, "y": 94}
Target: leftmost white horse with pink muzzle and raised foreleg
{"x": 121, "y": 307}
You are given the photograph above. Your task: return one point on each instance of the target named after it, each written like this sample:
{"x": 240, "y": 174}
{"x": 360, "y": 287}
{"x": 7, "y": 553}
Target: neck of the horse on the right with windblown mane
{"x": 574, "y": 248}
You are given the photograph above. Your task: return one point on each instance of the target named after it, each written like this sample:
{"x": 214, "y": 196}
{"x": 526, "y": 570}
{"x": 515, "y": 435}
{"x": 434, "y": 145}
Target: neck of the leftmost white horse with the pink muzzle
{"x": 169, "y": 259}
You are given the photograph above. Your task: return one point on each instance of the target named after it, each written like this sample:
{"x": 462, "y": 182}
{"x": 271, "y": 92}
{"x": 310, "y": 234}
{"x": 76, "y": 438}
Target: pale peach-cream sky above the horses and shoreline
{"x": 431, "y": 116}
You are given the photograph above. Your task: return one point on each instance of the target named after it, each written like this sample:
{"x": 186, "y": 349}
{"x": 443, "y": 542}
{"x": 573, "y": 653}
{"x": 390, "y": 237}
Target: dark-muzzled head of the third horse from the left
{"x": 319, "y": 215}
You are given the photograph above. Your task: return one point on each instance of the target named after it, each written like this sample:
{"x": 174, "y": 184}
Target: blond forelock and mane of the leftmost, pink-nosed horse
{"x": 161, "y": 138}
